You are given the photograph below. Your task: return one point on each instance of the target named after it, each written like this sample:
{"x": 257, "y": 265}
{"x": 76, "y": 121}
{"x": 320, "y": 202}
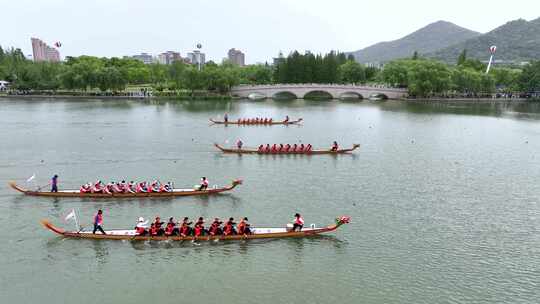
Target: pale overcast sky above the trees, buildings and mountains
{"x": 260, "y": 28}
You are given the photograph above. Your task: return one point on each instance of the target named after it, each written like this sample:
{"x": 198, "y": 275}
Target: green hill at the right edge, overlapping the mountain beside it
{"x": 516, "y": 41}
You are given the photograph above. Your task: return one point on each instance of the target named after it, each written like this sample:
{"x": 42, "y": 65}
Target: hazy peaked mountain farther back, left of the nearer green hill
{"x": 430, "y": 38}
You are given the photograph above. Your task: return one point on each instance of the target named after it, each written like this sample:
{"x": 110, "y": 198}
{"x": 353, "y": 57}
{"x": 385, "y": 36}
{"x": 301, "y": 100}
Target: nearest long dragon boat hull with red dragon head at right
{"x": 257, "y": 233}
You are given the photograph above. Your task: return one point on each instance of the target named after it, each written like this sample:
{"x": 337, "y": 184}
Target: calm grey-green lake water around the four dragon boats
{"x": 444, "y": 200}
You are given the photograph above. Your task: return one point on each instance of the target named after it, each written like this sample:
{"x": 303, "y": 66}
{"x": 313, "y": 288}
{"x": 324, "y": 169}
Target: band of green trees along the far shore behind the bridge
{"x": 423, "y": 77}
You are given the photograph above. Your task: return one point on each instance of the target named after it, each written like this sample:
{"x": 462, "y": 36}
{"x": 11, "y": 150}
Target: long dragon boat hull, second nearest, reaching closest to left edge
{"x": 174, "y": 193}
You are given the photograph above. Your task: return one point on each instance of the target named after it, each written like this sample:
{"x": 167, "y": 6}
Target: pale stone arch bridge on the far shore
{"x": 336, "y": 91}
